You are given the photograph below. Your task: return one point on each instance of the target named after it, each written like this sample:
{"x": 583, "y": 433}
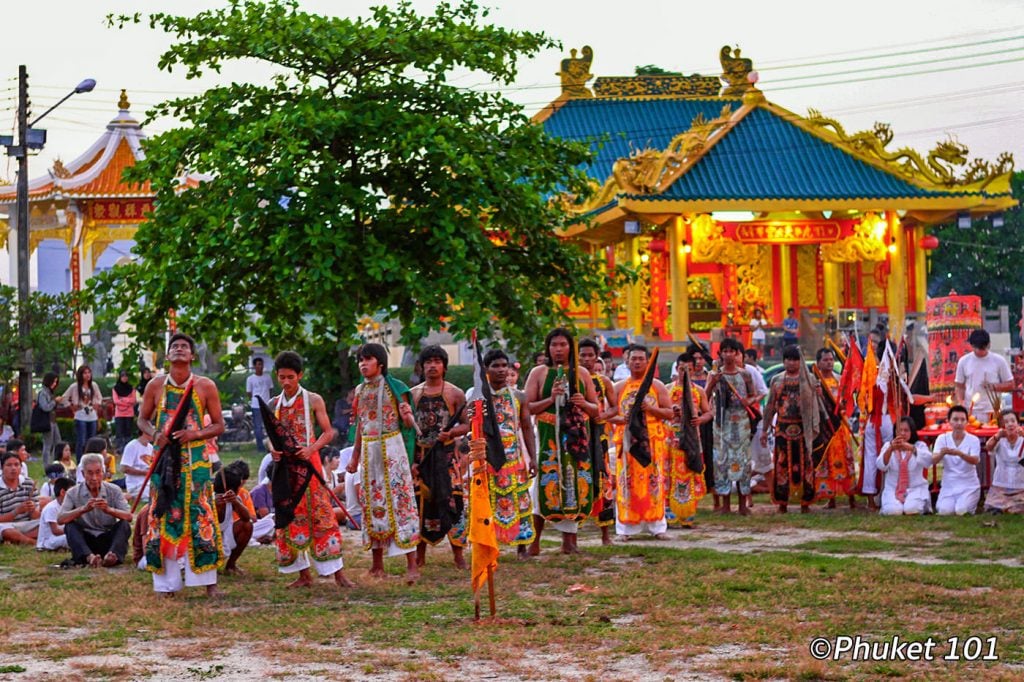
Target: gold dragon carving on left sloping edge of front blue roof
{"x": 651, "y": 172}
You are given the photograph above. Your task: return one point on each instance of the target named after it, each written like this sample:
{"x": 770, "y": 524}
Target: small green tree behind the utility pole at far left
{"x": 52, "y": 325}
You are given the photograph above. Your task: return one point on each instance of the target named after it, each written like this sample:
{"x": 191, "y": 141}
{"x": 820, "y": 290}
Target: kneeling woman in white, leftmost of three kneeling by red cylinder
{"x": 905, "y": 460}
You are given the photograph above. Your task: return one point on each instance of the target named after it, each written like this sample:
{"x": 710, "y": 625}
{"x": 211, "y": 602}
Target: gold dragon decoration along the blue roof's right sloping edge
{"x": 938, "y": 168}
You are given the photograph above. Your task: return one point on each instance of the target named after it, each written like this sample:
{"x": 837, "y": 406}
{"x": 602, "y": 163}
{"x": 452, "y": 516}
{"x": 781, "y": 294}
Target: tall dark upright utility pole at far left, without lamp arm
{"x": 24, "y": 325}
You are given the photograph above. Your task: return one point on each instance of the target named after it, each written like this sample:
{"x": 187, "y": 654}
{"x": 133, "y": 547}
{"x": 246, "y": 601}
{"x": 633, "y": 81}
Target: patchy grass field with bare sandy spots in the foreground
{"x": 736, "y": 599}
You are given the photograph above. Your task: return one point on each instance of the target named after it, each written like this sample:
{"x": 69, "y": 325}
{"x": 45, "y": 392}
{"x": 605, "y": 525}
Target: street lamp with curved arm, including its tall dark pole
{"x": 28, "y": 140}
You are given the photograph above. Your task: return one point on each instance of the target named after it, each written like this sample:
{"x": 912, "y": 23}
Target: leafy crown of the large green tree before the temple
{"x": 358, "y": 180}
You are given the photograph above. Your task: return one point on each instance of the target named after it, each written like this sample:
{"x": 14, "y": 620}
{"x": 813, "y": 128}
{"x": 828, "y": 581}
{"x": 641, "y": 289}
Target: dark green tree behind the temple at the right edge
{"x": 984, "y": 261}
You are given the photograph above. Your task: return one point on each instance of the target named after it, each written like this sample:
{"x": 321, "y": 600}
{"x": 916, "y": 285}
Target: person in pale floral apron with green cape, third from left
{"x": 385, "y": 443}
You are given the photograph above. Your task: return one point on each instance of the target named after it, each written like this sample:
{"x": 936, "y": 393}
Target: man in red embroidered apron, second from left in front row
{"x": 314, "y": 536}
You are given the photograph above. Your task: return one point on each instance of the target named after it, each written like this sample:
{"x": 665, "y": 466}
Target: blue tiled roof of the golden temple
{"x": 763, "y": 157}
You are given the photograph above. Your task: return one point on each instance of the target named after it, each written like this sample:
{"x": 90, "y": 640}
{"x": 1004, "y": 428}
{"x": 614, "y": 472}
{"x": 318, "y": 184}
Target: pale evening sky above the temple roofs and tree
{"x": 828, "y": 56}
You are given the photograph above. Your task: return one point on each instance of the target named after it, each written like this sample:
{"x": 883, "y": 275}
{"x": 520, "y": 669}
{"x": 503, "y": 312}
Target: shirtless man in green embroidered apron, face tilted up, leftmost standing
{"x": 183, "y": 525}
